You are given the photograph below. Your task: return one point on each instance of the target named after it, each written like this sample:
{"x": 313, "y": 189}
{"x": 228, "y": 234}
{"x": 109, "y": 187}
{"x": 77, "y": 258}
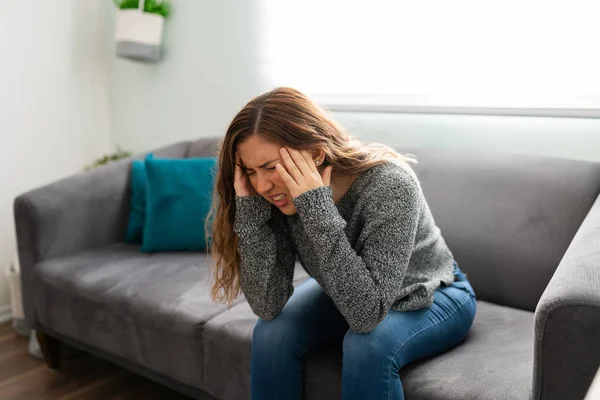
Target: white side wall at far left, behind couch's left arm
{"x": 54, "y": 108}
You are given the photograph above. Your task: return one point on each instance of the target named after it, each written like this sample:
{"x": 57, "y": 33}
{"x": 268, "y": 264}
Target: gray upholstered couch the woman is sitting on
{"x": 525, "y": 229}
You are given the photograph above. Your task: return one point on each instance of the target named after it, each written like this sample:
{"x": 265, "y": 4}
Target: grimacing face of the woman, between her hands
{"x": 259, "y": 157}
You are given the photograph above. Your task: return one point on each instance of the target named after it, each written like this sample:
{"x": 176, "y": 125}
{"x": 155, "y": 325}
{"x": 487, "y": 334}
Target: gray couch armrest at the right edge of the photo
{"x": 567, "y": 319}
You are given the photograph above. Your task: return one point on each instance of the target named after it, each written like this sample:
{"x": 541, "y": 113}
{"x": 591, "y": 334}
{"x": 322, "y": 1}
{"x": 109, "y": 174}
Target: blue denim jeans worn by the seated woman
{"x": 372, "y": 361}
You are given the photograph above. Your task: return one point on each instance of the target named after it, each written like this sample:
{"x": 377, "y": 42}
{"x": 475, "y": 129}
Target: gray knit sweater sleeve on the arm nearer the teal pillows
{"x": 267, "y": 256}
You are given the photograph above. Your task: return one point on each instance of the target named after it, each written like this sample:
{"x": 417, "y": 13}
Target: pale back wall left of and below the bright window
{"x": 213, "y": 65}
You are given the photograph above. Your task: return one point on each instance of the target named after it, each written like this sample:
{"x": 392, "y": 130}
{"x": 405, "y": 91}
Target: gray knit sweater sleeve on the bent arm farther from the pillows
{"x": 364, "y": 286}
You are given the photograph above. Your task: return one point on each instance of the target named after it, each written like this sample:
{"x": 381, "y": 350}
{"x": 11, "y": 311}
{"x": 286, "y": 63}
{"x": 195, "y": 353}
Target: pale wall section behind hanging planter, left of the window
{"x": 208, "y": 72}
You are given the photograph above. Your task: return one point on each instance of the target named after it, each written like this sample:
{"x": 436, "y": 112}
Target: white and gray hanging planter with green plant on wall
{"x": 139, "y": 28}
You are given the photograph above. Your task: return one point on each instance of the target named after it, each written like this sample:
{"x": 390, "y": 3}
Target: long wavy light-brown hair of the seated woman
{"x": 289, "y": 118}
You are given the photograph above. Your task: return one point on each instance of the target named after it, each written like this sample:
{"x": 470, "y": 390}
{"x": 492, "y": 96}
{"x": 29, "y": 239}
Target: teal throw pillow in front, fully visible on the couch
{"x": 178, "y": 200}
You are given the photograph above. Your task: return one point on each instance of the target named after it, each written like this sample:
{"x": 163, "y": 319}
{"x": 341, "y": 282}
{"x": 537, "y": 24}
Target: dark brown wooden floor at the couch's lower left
{"x": 82, "y": 377}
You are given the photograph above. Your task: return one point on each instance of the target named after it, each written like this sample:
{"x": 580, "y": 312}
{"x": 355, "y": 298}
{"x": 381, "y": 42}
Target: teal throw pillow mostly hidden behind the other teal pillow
{"x": 137, "y": 202}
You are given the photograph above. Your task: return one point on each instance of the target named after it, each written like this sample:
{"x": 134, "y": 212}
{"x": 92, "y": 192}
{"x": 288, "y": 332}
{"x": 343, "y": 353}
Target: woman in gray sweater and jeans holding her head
{"x": 292, "y": 183}
